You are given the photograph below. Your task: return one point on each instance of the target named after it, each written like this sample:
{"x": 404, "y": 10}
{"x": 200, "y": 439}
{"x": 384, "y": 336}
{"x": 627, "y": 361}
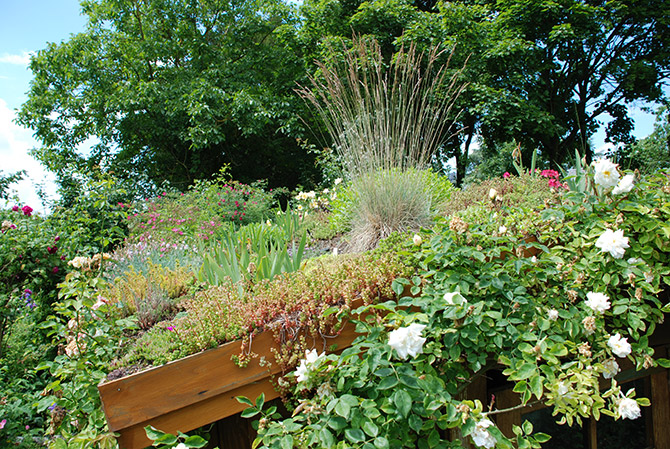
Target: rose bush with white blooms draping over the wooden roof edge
{"x": 556, "y": 316}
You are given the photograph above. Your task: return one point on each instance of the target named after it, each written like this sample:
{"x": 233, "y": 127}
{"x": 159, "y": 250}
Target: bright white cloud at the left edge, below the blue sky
{"x": 15, "y": 143}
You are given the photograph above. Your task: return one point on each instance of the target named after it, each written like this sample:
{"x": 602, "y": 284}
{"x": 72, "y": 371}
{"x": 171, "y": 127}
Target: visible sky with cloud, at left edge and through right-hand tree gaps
{"x": 29, "y": 25}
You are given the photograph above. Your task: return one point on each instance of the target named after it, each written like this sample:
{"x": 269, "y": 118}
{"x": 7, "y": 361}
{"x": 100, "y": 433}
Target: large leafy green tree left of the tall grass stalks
{"x": 173, "y": 91}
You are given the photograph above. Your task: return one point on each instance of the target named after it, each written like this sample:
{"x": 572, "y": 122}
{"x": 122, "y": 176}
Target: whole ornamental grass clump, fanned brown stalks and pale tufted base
{"x": 386, "y": 120}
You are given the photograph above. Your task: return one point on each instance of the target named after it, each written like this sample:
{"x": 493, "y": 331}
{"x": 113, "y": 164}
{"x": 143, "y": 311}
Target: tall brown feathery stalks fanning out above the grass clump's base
{"x": 381, "y": 115}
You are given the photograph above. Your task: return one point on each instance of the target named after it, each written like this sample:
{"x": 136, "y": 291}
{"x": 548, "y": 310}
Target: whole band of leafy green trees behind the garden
{"x": 172, "y": 91}
